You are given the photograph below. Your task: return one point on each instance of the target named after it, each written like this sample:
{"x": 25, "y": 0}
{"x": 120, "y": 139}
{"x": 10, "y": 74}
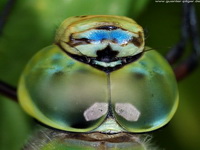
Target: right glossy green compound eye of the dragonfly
{"x": 144, "y": 94}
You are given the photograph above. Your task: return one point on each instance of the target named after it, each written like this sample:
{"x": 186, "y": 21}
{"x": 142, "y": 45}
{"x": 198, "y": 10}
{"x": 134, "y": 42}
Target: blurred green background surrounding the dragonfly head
{"x": 32, "y": 25}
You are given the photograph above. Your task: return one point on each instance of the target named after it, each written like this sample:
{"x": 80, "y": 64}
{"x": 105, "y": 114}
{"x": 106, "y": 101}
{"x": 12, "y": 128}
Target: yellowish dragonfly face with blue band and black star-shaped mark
{"x": 101, "y": 41}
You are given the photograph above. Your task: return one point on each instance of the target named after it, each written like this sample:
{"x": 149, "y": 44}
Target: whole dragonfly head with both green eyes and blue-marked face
{"x": 99, "y": 77}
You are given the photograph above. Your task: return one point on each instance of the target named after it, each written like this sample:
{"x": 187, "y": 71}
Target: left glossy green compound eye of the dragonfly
{"x": 63, "y": 93}
